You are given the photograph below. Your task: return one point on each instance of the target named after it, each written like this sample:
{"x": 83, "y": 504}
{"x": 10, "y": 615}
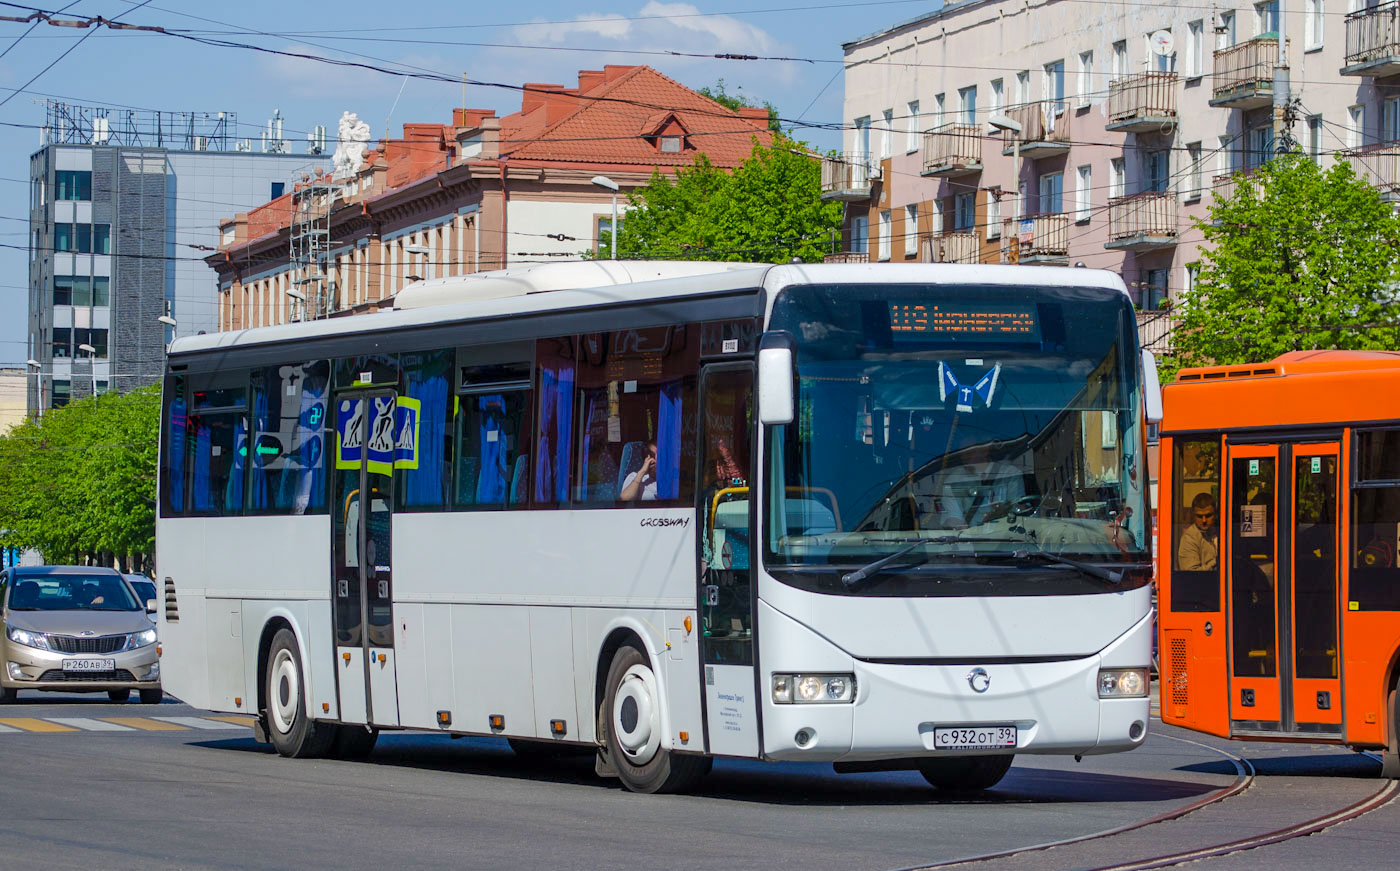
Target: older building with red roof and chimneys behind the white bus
{"x": 481, "y": 194}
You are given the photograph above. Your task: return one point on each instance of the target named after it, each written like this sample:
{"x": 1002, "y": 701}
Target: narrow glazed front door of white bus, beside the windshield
{"x": 726, "y": 596}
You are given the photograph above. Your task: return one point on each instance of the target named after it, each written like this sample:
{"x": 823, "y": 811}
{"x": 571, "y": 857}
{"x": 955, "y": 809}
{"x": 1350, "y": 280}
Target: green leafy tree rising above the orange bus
{"x": 1297, "y": 258}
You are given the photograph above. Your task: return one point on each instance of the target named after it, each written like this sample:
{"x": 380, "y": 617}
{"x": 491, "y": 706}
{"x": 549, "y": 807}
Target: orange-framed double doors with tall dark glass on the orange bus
{"x": 1283, "y": 587}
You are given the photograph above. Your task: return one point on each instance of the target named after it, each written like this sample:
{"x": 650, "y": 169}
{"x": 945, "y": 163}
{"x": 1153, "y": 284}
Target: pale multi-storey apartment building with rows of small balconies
{"x": 1070, "y": 132}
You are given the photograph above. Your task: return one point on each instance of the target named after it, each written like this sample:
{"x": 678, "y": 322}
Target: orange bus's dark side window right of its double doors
{"x": 1375, "y": 523}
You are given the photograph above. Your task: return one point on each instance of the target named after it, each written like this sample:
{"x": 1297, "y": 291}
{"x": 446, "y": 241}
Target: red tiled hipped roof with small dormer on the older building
{"x": 608, "y": 124}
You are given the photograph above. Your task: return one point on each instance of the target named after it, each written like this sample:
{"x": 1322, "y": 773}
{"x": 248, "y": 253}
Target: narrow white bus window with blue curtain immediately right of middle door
{"x": 425, "y": 470}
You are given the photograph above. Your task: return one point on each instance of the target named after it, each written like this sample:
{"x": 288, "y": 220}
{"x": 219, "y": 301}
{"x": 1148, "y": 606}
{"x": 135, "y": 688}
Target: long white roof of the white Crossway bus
{"x": 547, "y": 288}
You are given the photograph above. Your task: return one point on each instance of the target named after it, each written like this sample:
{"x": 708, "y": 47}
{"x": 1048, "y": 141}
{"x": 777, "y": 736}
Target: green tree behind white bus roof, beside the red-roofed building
{"x": 768, "y": 211}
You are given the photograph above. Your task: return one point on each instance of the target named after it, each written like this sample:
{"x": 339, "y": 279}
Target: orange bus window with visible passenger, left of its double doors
{"x": 1196, "y": 487}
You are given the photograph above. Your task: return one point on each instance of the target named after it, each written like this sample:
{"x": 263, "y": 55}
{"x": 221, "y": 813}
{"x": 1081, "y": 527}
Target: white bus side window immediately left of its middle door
{"x": 289, "y": 446}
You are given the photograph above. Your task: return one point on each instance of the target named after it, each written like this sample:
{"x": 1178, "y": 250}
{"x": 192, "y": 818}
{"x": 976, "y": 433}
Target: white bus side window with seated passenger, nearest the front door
{"x": 636, "y": 417}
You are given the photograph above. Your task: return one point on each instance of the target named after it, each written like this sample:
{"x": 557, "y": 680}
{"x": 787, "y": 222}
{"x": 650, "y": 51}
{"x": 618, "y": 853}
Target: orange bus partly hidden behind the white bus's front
{"x": 1279, "y": 530}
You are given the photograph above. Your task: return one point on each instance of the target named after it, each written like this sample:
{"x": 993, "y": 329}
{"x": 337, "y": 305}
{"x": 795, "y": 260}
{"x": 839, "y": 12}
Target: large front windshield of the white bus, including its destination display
{"x": 974, "y": 432}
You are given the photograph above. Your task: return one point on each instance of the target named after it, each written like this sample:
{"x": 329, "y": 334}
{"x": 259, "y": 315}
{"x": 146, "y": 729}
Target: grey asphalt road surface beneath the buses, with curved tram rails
{"x": 131, "y": 786}
